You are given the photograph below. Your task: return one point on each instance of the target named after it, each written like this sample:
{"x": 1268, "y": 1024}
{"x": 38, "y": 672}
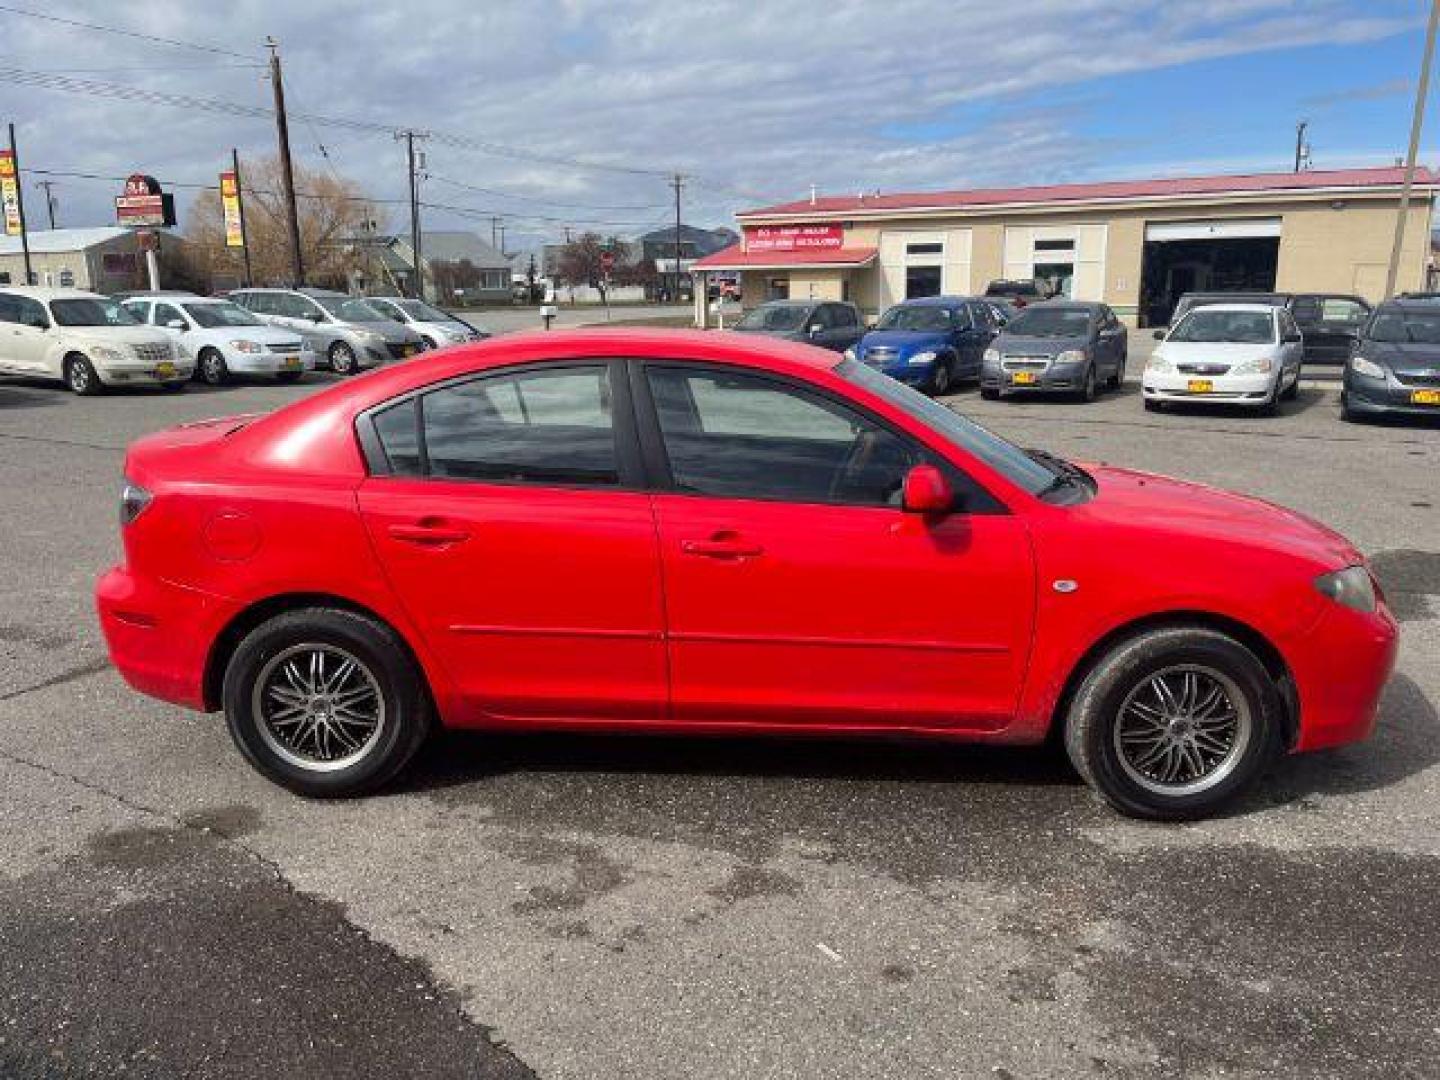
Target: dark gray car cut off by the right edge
{"x": 1396, "y": 364}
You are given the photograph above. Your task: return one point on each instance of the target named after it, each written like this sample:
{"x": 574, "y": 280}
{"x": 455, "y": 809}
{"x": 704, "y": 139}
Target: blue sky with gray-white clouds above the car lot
{"x": 752, "y": 102}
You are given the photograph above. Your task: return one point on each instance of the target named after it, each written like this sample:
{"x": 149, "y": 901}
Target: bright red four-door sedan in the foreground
{"x": 675, "y": 532}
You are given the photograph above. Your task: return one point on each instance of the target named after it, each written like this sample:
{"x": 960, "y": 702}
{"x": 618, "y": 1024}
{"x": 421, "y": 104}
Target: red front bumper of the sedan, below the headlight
{"x": 1340, "y": 669}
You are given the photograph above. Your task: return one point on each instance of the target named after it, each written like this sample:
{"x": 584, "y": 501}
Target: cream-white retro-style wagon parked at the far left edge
{"x": 87, "y": 341}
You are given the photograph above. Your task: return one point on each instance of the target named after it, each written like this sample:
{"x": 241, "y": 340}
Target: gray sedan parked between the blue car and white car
{"x": 1061, "y": 345}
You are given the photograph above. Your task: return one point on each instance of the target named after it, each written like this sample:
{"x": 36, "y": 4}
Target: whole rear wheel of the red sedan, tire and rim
{"x": 326, "y": 702}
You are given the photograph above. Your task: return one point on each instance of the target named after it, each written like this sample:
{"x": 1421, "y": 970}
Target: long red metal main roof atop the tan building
{"x": 1115, "y": 189}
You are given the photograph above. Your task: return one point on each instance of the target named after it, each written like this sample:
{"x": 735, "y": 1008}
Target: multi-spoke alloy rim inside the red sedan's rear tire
{"x": 319, "y": 708}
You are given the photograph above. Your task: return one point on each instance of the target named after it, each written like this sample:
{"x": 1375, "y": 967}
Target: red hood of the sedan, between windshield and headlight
{"x": 1146, "y": 499}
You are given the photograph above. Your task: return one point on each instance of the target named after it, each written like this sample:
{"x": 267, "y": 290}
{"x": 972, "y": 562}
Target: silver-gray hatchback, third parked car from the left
{"x": 348, "y": 332}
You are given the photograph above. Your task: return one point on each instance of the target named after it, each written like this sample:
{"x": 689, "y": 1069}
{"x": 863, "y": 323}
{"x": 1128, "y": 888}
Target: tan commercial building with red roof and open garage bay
{"x": 1135, "y": 246}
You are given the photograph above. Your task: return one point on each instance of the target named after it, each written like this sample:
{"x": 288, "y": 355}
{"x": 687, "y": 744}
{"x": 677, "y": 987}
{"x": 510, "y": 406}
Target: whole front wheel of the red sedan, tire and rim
{"x": 1174, "y": 724}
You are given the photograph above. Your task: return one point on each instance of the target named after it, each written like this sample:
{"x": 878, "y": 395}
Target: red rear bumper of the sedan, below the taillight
{"x": 161, "y": 634}
